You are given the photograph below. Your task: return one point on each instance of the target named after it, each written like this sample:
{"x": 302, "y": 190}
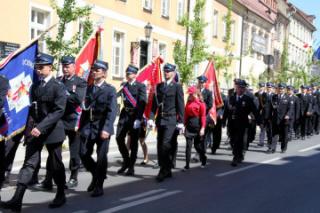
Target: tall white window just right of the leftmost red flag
{"x": 118, "y": 54}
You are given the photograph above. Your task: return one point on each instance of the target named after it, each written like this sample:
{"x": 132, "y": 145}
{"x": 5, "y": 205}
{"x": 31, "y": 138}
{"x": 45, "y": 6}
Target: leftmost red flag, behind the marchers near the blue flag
{"x": 85, "y": 58}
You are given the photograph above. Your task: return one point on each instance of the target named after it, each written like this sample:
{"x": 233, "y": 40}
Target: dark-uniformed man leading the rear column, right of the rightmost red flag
{"x": 240, "y": 105}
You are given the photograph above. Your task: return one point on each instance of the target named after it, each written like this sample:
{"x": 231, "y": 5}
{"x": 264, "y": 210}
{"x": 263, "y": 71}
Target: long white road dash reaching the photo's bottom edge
{"x": 139, "y": 202}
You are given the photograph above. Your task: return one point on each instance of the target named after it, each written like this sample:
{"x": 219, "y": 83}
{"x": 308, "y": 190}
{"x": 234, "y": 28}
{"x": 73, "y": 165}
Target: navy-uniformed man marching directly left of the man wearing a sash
{"x": 96, "y": 126}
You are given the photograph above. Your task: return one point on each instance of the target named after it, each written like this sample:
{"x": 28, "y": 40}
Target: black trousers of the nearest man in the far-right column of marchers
{"x": 281, "y": 129}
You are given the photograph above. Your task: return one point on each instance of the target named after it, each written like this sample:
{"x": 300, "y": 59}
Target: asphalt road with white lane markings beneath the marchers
{"x": 263, "y": 183}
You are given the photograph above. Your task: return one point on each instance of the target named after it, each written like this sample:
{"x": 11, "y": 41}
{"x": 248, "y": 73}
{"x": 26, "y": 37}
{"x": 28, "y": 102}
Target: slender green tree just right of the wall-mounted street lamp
{"x": 195, "y": 28}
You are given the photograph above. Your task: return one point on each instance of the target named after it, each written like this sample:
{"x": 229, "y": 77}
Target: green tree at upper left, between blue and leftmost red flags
{"x": 69, "y": 13}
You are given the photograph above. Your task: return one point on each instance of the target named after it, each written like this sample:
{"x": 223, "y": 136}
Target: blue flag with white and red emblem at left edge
{"x": 19, "y": 70}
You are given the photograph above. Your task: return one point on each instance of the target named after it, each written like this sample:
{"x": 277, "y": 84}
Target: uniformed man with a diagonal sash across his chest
{"x": 131, "y": 117}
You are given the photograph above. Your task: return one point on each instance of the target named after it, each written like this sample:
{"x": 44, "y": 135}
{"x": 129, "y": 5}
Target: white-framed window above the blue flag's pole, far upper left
{"x": 40, "y": 21}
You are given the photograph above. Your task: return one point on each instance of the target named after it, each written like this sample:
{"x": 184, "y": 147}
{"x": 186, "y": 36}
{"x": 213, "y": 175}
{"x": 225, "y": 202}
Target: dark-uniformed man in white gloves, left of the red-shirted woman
{"x": 168, "y": 105}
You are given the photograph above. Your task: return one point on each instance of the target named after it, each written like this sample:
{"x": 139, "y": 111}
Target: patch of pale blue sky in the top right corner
{"x": 311, "y": 7}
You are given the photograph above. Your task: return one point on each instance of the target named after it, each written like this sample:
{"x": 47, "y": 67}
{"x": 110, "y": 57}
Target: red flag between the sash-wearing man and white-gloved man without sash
{"x": 150, "y": 75}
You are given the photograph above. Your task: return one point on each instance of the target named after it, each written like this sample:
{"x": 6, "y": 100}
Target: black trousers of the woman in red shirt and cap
{"x": 199, "y": 145}
